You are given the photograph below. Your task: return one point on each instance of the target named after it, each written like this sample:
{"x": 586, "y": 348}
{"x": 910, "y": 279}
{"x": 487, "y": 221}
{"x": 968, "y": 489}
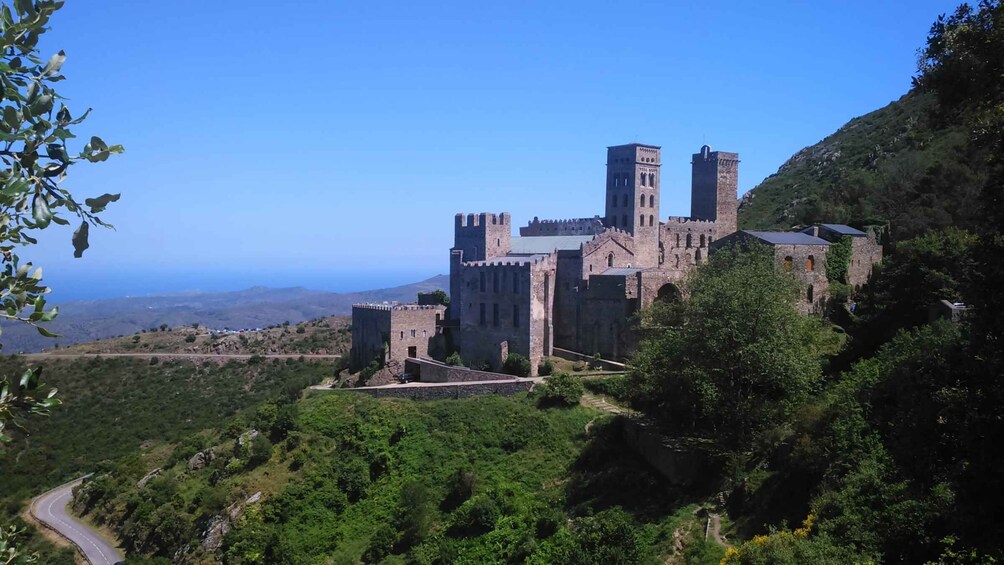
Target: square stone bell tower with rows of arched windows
{"x": 633, "y": 197}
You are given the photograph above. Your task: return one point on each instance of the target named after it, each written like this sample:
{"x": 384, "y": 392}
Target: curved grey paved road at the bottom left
{"x": 51, "y": 509}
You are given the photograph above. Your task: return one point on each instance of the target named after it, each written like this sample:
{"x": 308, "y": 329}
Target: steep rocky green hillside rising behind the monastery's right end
{"x": 900, "y": 164}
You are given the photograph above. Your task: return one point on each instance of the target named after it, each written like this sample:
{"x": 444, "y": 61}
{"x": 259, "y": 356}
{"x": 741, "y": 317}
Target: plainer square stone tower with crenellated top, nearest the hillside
{"x": 715, "y": 189}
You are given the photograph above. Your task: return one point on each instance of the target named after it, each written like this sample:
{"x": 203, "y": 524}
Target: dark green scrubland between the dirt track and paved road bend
{"x": 115, "y": 407}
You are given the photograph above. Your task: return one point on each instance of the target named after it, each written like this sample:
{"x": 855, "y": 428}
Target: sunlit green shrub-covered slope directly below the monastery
{"x": 487, "y": 480}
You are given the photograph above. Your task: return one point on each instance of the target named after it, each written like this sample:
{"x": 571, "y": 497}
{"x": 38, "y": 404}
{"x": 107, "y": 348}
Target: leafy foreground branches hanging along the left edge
{"x": 36, "y": 137}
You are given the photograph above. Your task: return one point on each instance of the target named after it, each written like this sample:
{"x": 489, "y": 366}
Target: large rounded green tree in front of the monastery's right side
{"x": 736, "y": 357}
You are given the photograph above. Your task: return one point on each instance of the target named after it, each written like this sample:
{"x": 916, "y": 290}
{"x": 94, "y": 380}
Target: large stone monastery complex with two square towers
{"x": 576, "y": 285}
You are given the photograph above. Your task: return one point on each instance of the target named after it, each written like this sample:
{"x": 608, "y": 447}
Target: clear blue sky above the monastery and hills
{"x": 329, "y": 145}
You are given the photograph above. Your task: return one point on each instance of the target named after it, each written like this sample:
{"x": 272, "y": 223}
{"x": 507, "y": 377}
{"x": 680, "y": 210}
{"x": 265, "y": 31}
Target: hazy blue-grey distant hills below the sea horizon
{"x": 256, "y": 308}
